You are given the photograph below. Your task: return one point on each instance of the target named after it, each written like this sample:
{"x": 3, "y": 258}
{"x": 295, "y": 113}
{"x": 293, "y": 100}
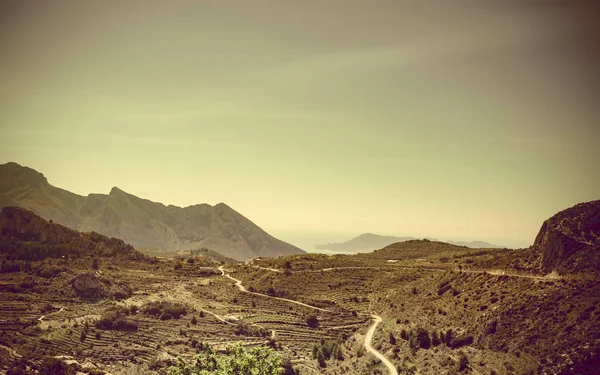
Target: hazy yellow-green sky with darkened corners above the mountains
{"x": 317, "y": 120}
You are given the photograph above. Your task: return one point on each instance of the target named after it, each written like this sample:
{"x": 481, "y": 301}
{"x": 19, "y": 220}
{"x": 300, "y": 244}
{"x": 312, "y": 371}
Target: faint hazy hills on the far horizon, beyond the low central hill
{"x": 369, "y": 242}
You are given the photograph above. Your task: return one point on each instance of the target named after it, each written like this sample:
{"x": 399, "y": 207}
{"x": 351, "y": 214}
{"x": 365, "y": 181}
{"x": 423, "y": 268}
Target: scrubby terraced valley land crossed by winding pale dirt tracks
{"x": 419, "y": 306}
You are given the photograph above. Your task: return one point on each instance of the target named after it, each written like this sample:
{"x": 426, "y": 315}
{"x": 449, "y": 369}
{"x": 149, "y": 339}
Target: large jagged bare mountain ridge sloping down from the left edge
{"x": 140, "y": 222}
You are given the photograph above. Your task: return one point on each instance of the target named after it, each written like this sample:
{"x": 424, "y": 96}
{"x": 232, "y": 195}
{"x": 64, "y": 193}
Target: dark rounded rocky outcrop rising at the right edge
{"x": 569, "y": 242}
